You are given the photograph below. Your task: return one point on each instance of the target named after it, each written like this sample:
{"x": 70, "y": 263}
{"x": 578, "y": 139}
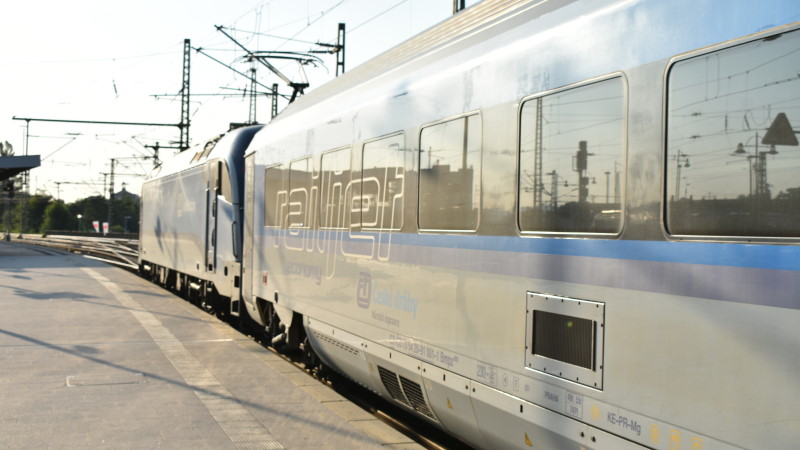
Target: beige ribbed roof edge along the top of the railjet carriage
{"x": 479, "y": 18}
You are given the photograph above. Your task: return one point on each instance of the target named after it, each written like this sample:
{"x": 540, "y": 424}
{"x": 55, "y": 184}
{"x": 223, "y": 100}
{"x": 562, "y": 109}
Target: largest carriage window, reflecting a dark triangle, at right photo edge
{"x": 732, "y": 158}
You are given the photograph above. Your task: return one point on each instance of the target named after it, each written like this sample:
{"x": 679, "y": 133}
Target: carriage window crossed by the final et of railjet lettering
{"x": 380, "y": 200}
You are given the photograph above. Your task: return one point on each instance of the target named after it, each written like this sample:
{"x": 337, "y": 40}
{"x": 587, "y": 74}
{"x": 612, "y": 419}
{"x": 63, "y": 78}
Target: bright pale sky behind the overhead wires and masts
{"x": 105, "y": 60}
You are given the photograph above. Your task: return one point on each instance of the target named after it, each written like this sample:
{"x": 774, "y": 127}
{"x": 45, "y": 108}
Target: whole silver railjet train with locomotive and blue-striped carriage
{"x": 539, "y": 224}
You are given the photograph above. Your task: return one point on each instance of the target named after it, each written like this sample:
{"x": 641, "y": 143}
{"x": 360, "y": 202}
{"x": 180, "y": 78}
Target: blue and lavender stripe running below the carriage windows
{"x": 742, "y": 273}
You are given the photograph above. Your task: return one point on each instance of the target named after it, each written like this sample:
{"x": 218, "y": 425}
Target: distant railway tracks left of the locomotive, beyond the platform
{"x": 117, "y": 251}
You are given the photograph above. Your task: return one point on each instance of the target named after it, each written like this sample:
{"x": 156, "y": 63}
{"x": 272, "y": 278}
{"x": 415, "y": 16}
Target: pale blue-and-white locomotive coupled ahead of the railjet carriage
{"x": 191, "y": 226}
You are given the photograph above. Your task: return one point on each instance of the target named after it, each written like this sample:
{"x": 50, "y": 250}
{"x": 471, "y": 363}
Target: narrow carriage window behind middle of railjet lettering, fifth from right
{"x": 335, "y": 173}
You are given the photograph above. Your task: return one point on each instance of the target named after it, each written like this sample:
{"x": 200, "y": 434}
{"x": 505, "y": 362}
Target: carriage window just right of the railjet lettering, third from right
{"x": 450, "y": 175}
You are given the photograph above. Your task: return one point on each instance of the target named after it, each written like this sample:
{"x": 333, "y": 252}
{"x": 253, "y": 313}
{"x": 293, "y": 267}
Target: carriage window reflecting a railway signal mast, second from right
{"x": 571, "y": 154}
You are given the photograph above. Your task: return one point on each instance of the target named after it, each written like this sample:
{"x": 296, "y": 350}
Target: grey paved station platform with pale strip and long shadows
{"x": 94, "y": 356}
